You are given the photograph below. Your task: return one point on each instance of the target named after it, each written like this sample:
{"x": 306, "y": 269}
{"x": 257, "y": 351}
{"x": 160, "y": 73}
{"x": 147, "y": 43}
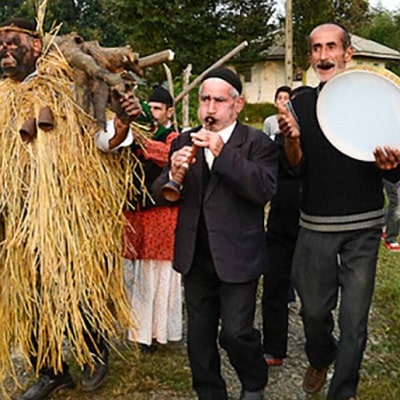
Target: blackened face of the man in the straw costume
{"x": 18, "y": 54}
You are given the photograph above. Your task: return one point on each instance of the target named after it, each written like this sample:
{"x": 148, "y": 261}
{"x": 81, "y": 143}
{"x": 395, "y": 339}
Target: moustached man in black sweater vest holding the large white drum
{"x": 340, "y": 227}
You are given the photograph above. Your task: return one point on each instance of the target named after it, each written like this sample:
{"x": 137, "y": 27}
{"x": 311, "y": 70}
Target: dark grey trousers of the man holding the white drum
{"x": 327, "y": 265}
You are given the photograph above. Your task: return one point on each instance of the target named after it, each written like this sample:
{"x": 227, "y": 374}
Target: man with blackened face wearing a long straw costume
{"x": 61, "y": 219}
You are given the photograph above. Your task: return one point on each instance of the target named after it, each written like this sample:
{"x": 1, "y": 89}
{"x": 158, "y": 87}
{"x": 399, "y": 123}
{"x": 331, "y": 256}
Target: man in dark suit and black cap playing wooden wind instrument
{"x": 219, "y": 242}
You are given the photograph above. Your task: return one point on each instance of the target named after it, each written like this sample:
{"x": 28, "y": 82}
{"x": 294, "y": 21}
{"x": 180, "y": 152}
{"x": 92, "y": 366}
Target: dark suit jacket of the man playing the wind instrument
{"x": 242, "y": 181}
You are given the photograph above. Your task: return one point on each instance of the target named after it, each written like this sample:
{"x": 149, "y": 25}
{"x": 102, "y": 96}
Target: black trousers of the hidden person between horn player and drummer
{"x": 276, "y": 285}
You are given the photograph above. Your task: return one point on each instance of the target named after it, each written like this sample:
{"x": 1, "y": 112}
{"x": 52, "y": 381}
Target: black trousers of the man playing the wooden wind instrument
{"x": 210, "y": 301}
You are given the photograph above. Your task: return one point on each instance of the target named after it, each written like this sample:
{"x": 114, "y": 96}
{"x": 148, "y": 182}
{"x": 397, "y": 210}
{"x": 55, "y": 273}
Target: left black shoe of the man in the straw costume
{"x": 47, "y": 385}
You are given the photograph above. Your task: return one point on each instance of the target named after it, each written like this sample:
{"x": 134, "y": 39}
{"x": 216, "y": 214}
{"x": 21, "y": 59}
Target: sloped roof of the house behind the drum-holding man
{"x": 362, "y": 48}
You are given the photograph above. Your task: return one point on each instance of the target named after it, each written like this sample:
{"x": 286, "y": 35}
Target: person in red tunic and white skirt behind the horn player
{"x": 156, "y": 292}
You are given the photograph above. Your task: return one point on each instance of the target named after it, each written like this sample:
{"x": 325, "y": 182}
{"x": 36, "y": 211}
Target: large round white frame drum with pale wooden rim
{"x": 359, "y": 109}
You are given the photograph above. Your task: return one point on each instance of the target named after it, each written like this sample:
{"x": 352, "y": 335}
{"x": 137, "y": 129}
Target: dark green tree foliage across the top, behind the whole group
{"x": 200, "y": 32}
